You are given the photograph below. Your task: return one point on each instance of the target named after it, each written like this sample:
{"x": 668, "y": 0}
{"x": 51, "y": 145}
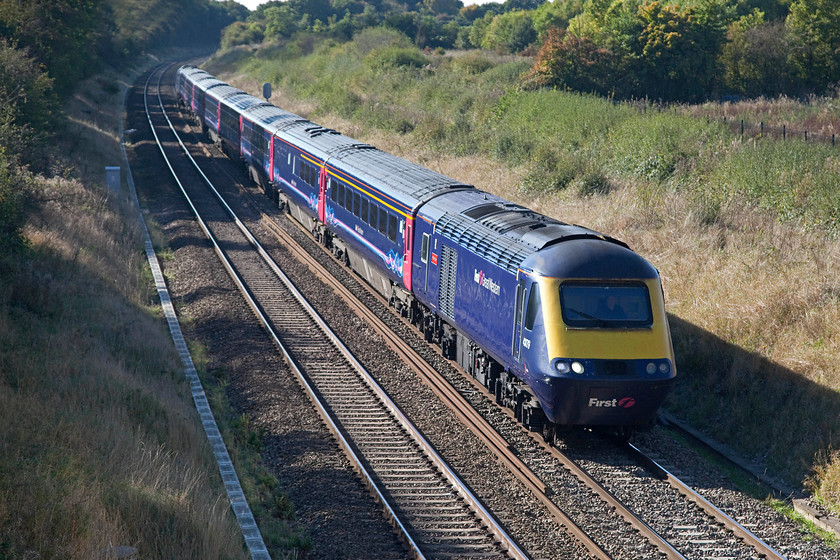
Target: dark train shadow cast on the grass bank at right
{"x": 772, "y": 415}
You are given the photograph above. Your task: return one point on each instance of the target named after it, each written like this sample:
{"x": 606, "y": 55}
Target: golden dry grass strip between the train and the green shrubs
{"x": 754, "y": 302}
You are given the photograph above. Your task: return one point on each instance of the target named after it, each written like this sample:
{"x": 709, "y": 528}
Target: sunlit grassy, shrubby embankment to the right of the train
{"x": 743, "y": 232}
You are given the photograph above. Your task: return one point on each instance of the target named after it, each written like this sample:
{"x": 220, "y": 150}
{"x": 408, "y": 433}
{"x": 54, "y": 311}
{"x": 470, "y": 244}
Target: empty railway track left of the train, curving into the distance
{"x": 436, "y": 514}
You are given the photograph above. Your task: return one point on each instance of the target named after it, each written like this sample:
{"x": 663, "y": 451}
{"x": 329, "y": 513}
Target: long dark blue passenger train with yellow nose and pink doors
{"x": 564, "y": 325}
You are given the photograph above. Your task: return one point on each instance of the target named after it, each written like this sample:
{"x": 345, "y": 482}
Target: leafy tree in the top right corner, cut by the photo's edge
{"x": 814, "y": 35}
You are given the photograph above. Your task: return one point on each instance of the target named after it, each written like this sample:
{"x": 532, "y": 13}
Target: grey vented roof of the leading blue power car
{"x": 504, "y": 233}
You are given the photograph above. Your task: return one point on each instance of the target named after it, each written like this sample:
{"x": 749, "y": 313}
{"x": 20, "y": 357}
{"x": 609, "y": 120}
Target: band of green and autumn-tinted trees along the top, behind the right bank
{"x": 669, "y": 50}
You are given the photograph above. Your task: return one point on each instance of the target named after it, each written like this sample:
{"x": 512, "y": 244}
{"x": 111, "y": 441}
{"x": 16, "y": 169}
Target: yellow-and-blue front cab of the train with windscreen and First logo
{"x": 592, "y": 334}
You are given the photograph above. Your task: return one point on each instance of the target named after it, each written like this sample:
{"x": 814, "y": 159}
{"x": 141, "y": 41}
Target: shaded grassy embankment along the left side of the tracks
{"x": 101, "y": 445}
